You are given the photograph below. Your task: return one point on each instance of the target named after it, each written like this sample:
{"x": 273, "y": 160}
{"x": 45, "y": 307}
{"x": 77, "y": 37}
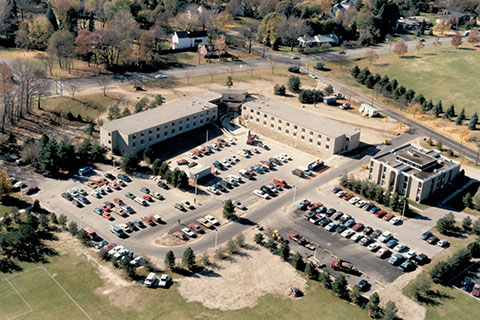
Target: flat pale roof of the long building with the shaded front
{"x": 162, "y": 114}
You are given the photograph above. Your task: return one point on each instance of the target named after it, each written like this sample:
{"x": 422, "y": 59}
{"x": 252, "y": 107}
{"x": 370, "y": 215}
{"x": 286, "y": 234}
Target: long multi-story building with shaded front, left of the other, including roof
{"x": 140, "y": 130}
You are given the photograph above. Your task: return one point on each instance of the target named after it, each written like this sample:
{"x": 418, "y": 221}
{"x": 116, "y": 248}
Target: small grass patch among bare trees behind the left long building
{"x": 88, "y": 106}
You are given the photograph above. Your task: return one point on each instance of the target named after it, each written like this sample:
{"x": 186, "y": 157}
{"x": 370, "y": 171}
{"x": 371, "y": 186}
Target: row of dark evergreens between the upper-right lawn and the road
{"x": 390, "y": 88}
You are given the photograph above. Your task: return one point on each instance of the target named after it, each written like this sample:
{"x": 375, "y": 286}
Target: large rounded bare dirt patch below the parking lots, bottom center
{"x": 239, "y": 283}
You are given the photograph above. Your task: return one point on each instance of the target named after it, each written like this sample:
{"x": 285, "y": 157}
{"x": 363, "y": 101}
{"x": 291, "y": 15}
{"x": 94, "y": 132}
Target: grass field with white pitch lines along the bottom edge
{"x": 82, "y": 280}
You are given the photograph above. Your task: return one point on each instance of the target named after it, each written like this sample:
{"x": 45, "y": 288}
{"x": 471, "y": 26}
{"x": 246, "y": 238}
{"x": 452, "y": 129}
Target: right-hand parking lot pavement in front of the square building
{"x": 333, "y": 246}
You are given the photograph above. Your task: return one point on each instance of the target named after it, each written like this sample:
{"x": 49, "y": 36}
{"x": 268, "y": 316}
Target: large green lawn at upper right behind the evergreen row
{"x": 442, "y": 73}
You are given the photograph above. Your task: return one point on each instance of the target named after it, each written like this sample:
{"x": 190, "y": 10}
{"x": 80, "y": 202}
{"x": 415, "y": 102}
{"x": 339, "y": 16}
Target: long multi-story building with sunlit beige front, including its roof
{"x": 304, "y": 128}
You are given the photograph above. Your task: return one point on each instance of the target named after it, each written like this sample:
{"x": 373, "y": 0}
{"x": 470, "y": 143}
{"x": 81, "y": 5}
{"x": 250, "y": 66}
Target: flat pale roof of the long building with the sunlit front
{"x": 303, "y": 118}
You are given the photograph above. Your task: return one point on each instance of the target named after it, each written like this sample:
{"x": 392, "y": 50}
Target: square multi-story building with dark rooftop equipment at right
{"x": 412, "y": 171}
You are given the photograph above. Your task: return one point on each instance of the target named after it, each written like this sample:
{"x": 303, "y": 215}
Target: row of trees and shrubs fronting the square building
{"x": 374, "y": 192}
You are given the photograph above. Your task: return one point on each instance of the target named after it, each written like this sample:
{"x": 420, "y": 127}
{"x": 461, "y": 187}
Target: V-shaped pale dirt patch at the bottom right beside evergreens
{"x": 407, "y": 308}
